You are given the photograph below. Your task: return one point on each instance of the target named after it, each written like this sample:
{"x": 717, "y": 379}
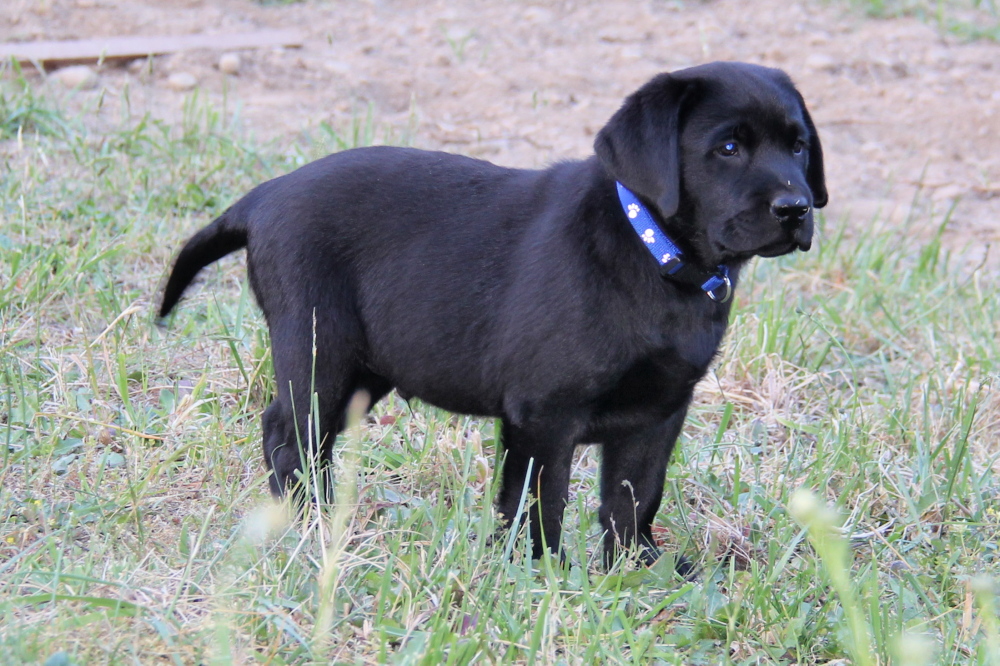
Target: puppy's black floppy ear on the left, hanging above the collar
{"x": 639, "y": 147}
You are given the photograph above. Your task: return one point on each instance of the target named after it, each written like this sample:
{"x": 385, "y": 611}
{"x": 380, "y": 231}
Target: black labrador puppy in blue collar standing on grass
{"x": 580, "y": 304}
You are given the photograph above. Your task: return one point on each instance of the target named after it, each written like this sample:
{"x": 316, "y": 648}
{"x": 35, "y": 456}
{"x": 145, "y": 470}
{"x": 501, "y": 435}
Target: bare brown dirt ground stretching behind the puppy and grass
{"x": 905, "y": 113}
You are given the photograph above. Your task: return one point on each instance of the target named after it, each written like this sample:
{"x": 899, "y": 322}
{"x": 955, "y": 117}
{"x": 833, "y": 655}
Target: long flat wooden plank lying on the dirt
{"x": 128, "y": 48}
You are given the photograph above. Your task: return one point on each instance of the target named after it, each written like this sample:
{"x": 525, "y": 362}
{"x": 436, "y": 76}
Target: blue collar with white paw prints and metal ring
{"x": 672, "y": 265}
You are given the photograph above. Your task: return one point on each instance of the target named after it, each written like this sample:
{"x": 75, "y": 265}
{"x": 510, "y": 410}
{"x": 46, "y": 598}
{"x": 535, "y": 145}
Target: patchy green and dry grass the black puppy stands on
{"x": 836, "y": 480}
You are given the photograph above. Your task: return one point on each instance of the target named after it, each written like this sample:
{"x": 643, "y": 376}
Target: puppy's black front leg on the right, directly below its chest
{"x": 633, "y": 470}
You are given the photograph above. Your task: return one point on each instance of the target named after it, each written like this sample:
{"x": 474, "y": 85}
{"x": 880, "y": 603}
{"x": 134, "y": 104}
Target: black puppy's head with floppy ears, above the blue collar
{"x": 728, "y": 156}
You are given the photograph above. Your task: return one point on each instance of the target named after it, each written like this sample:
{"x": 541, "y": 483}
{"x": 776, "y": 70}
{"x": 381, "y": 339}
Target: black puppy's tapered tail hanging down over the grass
{"x": 226, "y": 234}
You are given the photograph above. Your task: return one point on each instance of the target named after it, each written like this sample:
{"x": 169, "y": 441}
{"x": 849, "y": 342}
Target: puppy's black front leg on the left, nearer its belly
{"x": 548, "y": 452}
